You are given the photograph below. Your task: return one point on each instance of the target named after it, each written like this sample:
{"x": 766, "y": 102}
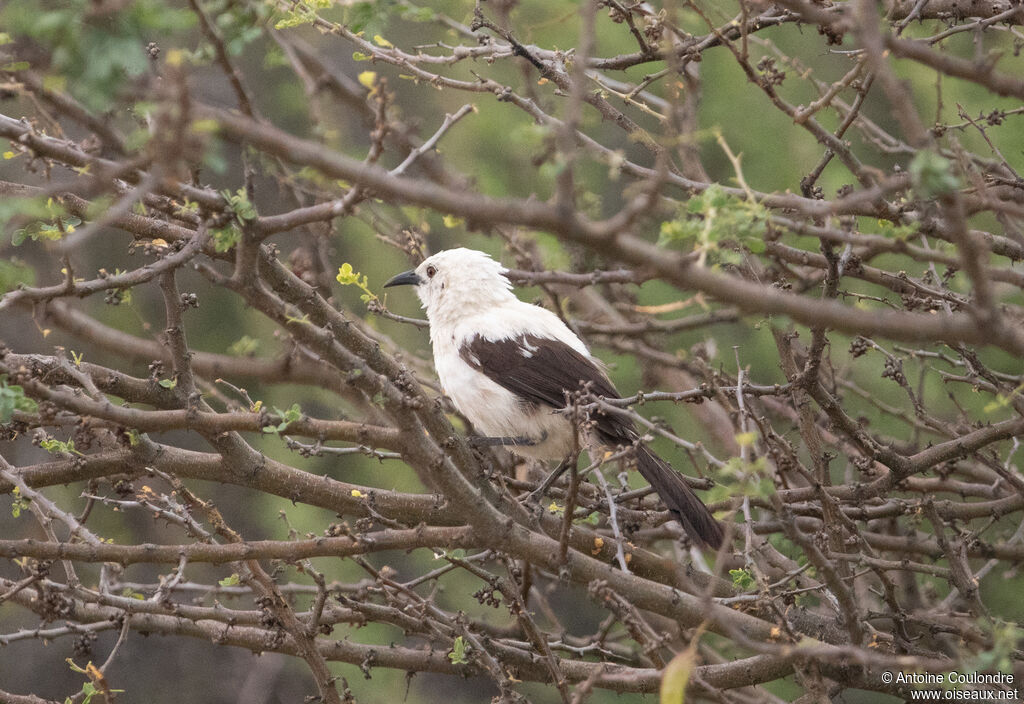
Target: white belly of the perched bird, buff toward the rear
{"x": 496, "y": 412}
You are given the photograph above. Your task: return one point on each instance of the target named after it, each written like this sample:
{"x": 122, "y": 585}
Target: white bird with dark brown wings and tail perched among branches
{"x": 510, "y": 369}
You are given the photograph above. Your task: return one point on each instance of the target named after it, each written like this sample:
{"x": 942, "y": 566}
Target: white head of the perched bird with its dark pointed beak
{"x": 457, "y": 282}
